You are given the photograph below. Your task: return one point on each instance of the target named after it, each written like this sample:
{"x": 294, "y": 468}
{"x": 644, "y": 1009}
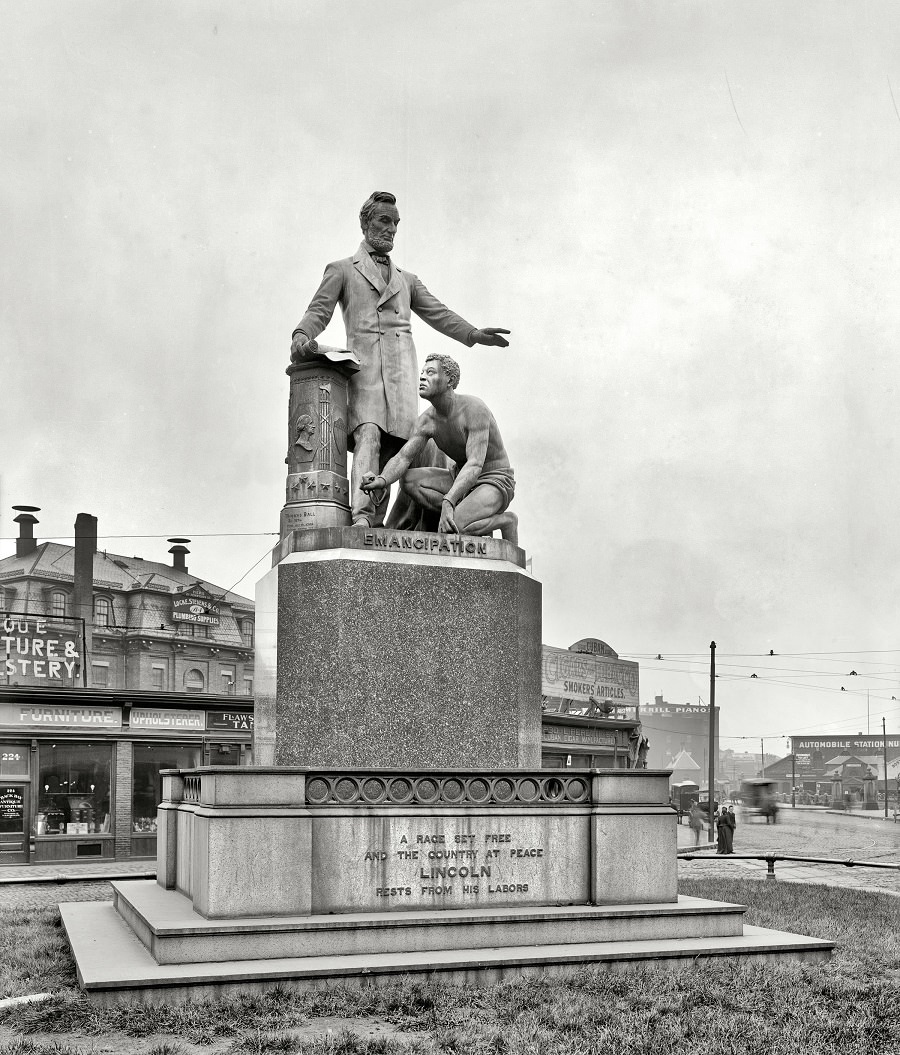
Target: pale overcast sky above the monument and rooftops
{"x": 687, "y": 215}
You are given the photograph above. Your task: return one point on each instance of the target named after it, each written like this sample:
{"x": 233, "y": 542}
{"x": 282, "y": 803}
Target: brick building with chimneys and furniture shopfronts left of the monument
{"x": 111, "y": 669}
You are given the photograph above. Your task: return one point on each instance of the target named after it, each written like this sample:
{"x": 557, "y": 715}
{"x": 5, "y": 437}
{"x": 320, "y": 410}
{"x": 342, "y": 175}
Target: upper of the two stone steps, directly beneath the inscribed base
{"x": 166, "y": 924}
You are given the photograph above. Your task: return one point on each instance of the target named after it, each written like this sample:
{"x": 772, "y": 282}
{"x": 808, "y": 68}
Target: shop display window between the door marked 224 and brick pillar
{"x": 73, "y": 790}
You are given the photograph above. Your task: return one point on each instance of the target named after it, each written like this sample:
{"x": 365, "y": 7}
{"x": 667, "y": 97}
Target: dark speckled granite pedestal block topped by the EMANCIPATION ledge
{"x": 409, "y": 649}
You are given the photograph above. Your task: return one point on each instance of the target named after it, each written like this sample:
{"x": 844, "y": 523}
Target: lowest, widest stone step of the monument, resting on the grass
{"x": 114, "y": 966}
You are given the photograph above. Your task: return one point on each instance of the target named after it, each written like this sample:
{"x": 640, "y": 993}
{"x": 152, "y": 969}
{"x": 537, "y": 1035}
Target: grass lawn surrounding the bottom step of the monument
{"x": 848, "y": 1007}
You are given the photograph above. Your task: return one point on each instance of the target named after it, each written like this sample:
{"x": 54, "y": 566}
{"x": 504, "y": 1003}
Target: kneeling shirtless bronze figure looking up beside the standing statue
{"x": 472, "y": 497}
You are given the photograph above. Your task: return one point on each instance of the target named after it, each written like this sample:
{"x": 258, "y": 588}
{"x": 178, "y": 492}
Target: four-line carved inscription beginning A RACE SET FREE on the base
{"x": 441, "y": 858}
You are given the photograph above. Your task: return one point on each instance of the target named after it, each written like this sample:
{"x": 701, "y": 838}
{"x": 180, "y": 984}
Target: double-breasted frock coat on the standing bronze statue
{"x": 377, "y": 318}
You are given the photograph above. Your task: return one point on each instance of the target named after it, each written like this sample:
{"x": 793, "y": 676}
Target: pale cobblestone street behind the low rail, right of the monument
{"x": 807, "y": 834}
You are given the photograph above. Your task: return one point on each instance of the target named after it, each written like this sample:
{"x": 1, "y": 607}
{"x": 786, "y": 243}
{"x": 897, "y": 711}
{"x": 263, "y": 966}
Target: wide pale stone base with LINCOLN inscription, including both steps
{"x": 296, "y": 877}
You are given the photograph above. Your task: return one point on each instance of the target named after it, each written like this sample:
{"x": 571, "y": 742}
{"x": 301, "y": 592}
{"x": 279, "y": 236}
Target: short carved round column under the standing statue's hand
{"x": 318, "y": 489}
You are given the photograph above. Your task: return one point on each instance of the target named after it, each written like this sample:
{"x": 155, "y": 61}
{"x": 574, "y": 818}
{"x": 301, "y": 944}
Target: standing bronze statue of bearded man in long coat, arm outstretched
{"x": 377, "y": 299}
